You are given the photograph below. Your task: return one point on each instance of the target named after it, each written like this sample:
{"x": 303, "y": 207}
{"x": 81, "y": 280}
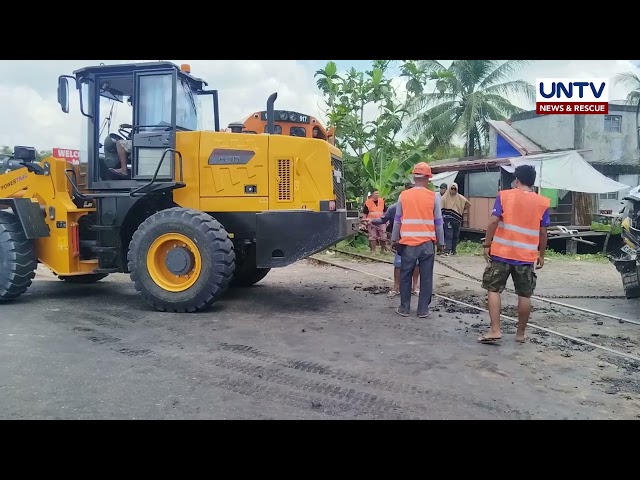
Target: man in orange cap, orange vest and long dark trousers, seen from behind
{"x": 416, "y": 230}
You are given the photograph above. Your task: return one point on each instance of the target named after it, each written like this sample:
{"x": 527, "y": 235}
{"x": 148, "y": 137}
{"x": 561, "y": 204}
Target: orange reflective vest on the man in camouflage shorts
{"x": 518, "y": 234}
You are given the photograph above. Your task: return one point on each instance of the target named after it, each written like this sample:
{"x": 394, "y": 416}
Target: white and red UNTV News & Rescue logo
{"x": 572, "y": 96}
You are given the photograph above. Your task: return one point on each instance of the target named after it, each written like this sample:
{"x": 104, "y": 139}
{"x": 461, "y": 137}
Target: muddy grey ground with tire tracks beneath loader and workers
{"x": 314, "y": 342}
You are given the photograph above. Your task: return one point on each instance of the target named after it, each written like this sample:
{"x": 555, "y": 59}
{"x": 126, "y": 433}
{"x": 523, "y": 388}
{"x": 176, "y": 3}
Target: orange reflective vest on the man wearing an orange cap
{"x": 417, "y": 221}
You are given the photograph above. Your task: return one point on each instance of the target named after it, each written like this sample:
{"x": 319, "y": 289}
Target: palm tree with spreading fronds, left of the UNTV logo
{"x": 467, "y": 94}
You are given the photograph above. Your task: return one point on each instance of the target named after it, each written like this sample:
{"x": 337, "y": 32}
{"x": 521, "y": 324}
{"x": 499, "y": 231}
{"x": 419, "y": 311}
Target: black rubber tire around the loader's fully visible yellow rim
{"x": 219, "y": 241}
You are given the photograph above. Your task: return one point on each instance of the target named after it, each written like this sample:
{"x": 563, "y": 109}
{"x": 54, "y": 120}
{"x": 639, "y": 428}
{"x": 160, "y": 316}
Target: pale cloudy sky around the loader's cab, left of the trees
{"x": 31, "y": 115}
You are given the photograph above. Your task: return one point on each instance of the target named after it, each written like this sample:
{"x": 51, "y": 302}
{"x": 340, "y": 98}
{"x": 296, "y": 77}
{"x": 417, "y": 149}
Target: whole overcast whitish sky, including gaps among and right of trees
{"x": 31, "y": 115}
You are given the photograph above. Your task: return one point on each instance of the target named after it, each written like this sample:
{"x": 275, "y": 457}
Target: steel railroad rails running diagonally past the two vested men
{"x": 513, "y": 320}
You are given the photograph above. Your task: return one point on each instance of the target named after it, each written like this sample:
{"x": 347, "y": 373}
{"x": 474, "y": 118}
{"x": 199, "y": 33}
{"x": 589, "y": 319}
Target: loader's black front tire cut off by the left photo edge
{"x": 18, "y": 260}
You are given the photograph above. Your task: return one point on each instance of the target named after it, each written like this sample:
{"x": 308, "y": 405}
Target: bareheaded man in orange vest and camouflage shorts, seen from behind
{"x": 515, "y": 241}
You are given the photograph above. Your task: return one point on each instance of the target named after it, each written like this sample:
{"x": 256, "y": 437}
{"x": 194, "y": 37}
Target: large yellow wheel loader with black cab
{"x": 185, "y": 211}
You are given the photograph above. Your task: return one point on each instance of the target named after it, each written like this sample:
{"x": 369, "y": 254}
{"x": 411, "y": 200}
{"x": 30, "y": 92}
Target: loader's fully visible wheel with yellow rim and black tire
{"x": 181, "y": 260}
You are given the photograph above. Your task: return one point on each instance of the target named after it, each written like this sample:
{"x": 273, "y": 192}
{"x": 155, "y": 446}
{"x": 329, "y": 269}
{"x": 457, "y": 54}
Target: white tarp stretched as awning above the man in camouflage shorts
{"x": 566, "y": 171}
